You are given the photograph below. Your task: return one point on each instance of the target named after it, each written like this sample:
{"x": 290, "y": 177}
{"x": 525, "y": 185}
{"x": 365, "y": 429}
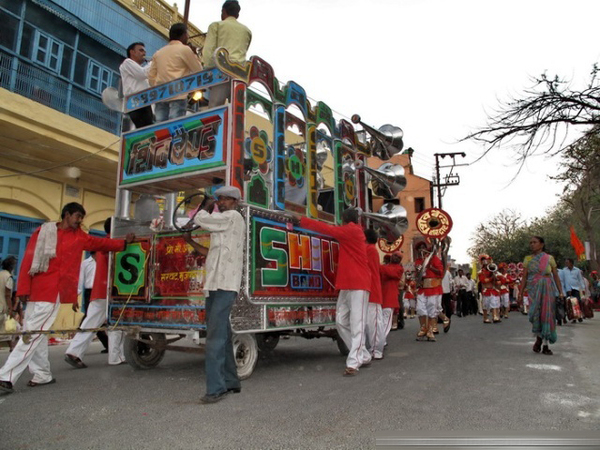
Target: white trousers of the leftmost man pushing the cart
{"x": 38, "y": 316}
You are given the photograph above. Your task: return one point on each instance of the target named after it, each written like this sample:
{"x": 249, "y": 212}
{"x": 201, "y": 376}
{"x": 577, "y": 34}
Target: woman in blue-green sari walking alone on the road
{"x": 543, "y": 286}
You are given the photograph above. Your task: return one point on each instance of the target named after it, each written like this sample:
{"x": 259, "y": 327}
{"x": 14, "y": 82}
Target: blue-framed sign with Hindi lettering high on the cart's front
{"x": 174, "y": 148}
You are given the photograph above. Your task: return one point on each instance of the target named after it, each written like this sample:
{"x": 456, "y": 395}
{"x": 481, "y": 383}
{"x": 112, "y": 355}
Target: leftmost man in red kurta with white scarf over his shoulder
{"x": 48, "y": 277}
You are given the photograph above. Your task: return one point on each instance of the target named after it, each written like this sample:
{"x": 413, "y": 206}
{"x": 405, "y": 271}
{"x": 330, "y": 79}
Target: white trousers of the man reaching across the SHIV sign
{"x": 351, "y": 314}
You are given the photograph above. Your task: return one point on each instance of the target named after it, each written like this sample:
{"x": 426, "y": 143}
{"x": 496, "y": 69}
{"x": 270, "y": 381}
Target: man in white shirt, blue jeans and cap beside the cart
{"x": 224, "y": 267}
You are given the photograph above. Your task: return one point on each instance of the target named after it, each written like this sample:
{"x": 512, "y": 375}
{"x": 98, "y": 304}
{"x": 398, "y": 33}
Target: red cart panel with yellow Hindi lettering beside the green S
{"x": 181, "y": 272}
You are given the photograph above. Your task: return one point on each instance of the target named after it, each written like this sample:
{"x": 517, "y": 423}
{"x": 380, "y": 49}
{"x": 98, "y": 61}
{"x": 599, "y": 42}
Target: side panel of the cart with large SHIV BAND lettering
{"x": 291, "y": 263}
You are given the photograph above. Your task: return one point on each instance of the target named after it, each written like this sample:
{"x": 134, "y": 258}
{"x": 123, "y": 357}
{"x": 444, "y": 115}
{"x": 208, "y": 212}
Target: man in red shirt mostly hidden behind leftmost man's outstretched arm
{"x": 96, "y": 316}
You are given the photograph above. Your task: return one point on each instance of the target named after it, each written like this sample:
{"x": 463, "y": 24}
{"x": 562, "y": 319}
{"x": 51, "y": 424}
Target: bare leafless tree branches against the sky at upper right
{"x": 539, "y": 121}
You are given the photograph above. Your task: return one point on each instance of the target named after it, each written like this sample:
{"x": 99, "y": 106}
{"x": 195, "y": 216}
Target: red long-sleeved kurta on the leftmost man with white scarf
{"x": 63, "y": 271}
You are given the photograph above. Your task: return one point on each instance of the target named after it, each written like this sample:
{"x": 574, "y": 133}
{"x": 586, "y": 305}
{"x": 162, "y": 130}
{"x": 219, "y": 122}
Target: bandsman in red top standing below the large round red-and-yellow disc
{"x": 430, "y": 293}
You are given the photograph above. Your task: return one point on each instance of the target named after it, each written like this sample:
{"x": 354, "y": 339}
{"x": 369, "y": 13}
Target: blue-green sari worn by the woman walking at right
{"x": 542, "y": 293}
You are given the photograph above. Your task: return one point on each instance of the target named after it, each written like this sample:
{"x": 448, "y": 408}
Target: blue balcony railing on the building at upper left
{"x": 42, "y": 86}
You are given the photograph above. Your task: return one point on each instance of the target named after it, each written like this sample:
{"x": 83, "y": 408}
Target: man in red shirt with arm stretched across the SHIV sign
{"x": 353, "y": 279}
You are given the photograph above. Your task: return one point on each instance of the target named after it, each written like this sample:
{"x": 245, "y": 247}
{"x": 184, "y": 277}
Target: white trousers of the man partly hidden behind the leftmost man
{"x": 96, "y": 316}
